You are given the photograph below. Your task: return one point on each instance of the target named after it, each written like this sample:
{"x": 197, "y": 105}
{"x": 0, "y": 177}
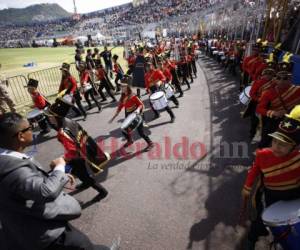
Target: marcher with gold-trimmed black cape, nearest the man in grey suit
{"x": 82, "y": 154}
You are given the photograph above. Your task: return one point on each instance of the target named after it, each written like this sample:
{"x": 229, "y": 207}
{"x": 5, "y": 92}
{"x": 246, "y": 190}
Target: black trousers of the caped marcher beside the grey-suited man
{"x": 79, "y": 170}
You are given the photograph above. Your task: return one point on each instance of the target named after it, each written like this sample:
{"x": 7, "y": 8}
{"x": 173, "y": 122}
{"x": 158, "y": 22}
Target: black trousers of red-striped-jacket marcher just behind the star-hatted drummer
{"x": 269, "y": 125}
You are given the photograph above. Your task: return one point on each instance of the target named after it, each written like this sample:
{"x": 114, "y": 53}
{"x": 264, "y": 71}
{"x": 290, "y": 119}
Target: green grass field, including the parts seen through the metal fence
{"x": 12, "y": 61}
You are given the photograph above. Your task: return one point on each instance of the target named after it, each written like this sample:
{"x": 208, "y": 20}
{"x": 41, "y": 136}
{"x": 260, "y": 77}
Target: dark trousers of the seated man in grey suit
{"x": 72, "y": 239}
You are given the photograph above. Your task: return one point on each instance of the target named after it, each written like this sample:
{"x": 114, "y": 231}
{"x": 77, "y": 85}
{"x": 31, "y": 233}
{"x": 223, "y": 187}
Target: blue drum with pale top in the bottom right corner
{"x": 283, "y": 217}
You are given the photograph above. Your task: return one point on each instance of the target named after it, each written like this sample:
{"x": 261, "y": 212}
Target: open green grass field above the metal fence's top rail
{"x": 12, "y": 60}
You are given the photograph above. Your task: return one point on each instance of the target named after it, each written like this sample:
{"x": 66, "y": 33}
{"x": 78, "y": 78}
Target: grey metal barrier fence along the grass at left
{"x": 49, "y": 81}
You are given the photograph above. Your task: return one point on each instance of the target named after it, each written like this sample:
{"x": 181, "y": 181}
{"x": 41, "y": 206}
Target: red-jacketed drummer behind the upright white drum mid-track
{"x": 153, "y": 79}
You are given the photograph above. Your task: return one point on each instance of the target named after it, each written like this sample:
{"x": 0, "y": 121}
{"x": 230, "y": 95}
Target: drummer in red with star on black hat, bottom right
{"x": 278, "y": 170}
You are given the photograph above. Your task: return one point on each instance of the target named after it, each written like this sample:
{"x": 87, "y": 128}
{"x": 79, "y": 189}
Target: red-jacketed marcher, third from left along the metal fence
{"x": 87, "y": 88}
